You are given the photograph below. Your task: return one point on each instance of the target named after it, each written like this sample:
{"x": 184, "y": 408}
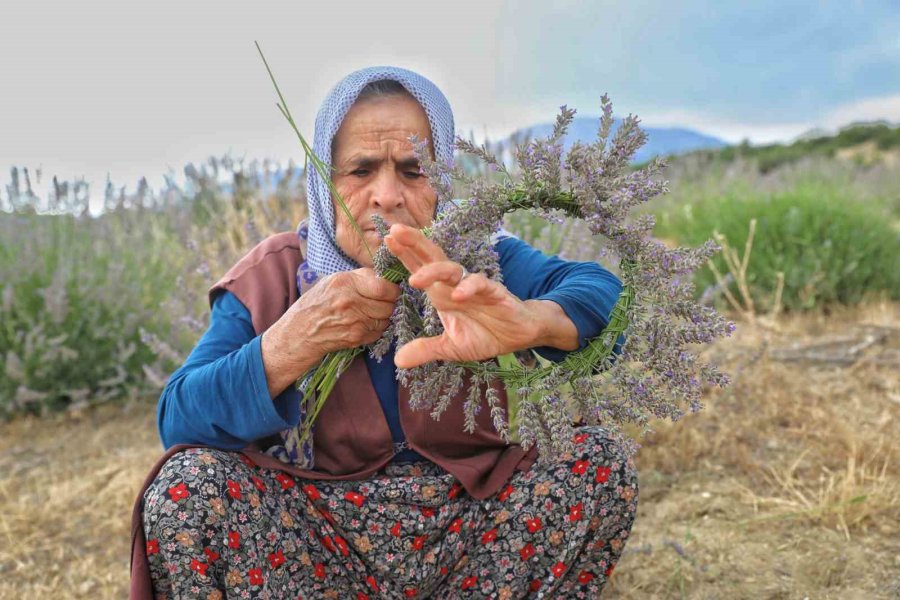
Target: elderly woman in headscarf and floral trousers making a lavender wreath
{"x": 387, "y": 503}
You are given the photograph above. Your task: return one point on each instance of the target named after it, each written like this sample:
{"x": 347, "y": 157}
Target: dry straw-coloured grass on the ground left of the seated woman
{"x": 66, "y": 488}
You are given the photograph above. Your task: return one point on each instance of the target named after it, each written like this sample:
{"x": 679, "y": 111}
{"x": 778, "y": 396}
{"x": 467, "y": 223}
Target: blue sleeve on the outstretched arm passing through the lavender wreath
{"x": 586, "y": 291}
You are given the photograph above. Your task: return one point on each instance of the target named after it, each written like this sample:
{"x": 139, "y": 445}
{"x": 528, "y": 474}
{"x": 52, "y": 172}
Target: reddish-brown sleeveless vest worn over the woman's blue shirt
{"x": 352, "y": 439}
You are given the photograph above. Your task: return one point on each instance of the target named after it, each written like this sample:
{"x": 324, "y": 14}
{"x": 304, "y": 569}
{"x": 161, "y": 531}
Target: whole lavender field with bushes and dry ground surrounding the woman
{"x": 787, "y": 485}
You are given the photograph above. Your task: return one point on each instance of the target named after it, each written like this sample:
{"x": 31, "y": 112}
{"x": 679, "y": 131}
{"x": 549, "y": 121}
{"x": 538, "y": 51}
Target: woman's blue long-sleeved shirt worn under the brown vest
{"x": 219, "y": 397}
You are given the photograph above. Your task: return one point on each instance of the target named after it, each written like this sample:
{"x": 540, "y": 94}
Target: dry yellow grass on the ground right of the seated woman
{"x": 786, "y": 486}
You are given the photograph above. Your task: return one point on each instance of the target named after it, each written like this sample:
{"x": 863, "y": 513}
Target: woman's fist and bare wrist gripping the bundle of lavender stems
{"x": 344, "y": 310}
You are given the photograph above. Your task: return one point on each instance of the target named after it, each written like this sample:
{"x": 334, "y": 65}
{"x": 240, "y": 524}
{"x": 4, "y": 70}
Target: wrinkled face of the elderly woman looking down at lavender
{"x": 376, "y": 171}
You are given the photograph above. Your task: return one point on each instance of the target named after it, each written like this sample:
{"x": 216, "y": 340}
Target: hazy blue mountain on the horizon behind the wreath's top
{"x": 660, "y": 141}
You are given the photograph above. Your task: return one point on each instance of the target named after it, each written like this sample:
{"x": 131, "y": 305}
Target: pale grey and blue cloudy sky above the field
{"x": 123, "y": 88}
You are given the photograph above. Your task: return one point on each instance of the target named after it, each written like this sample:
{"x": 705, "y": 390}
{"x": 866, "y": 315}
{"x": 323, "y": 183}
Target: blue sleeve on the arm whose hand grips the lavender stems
{"x": 219, "y": 396}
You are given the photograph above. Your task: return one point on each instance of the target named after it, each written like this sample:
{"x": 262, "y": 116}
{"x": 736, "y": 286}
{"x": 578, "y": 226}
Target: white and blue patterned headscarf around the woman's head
{"x": 324, "y": 256}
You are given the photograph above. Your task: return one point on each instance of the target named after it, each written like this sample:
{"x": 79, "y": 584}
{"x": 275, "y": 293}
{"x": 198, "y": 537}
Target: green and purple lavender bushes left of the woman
{"x": 102, "y": 308}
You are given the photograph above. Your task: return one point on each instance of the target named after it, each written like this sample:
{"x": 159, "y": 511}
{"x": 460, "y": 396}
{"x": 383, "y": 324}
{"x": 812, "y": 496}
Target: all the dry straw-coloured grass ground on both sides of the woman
{"x": 786, "y": 486}
